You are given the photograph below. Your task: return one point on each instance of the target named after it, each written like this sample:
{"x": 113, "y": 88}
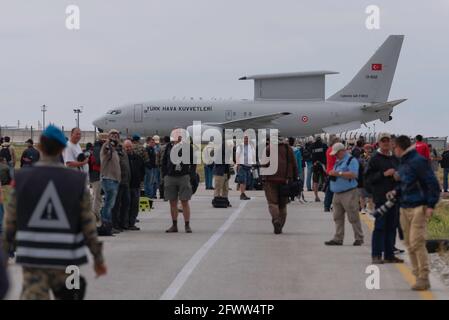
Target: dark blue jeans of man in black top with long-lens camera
{"x": 384, "y": 234}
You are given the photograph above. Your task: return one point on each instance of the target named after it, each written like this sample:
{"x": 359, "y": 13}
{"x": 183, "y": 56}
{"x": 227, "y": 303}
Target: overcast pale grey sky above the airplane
{"x": 142, "y": 50}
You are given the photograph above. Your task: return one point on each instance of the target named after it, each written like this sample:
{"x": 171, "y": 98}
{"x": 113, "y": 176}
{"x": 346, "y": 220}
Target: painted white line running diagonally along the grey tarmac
{"x": 171, "y": 292}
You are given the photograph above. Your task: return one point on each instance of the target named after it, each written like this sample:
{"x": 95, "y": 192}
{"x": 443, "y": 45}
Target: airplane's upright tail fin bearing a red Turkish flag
{"x": 373, "y": 82}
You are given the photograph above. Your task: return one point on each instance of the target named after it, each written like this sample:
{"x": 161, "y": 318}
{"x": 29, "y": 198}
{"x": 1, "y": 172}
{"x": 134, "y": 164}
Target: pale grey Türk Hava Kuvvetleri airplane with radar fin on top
{"x": 293, "y": 103}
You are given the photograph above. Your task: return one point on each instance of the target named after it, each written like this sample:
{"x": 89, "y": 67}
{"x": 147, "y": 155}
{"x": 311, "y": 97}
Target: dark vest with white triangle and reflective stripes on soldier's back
{"x": 49, "y": 230}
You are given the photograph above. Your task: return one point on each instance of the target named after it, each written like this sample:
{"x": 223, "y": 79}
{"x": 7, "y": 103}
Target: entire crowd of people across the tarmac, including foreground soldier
{"x": 100, "y": 186}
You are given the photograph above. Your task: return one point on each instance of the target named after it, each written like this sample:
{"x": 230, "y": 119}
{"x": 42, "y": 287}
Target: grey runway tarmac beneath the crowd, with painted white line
{"x": 233, "y": 254}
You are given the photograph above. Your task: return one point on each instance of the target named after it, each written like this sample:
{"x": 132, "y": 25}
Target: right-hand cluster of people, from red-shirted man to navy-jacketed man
{"x": 394, "y": 180}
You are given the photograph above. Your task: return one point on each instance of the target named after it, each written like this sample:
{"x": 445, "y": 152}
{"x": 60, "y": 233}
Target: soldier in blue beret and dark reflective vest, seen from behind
{"x": 49, "y": 218}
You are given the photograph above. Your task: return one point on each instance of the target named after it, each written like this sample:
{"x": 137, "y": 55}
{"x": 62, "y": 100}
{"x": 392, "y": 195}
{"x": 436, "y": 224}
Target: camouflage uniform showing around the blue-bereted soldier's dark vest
{"x": 37, "y": 282}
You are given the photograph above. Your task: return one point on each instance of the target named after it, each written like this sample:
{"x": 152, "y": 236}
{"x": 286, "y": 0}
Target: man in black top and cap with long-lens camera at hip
{"x": 379, "y": 180}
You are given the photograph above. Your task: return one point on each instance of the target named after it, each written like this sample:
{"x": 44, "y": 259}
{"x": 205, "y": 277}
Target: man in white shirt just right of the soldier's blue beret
{"x": 74, "y": 157}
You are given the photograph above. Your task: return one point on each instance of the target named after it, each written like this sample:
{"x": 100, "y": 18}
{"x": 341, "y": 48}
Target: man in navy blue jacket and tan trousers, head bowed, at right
{"x": 418, "y": 193}
